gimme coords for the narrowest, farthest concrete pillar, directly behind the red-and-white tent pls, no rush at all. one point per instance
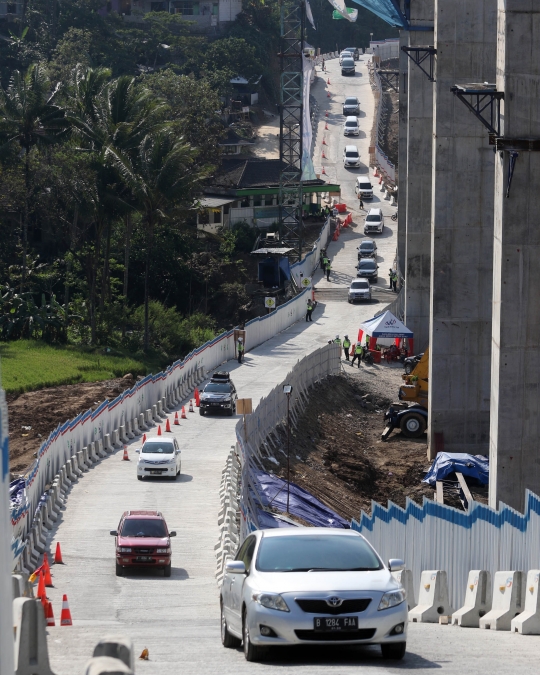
(419, 169)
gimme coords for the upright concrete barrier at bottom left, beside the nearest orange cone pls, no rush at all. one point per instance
(31, 654)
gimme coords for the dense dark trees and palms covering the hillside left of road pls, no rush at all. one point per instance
(109, 130)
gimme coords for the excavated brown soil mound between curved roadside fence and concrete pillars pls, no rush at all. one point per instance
(337, 453)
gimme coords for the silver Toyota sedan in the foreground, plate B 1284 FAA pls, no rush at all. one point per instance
(312, 585)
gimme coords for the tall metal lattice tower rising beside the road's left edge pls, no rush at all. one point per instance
(291, 124)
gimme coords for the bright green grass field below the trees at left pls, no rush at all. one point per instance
(26, 365)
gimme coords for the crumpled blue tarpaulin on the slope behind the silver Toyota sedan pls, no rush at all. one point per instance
(272, 491)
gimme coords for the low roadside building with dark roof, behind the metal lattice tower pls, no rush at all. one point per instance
(247, 189)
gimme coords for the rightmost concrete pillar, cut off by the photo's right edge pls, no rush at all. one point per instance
(515, 365)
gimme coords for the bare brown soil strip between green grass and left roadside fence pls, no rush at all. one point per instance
(45, 409)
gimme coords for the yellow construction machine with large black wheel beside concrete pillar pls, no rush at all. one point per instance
(410, 414)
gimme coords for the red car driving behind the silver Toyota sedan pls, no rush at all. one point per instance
(143, 540)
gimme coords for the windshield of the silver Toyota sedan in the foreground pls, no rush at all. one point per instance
(316, 552)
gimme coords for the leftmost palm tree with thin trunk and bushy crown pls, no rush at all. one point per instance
(30, 117)
